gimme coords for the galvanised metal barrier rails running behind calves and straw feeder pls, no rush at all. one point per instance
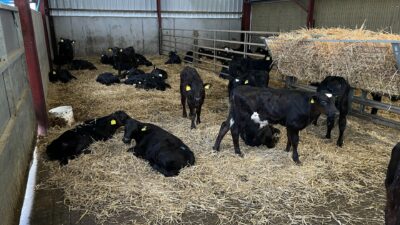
(184, 40)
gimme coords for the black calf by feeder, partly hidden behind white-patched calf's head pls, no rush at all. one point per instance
(339, 88)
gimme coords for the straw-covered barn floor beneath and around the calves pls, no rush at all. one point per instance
(110, 186)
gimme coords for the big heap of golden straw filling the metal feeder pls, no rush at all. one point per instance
(368, 66)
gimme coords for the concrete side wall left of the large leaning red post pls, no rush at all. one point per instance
(17, 119)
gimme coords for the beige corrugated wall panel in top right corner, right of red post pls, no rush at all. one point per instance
(377, 15)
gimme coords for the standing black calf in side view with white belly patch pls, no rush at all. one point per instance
(293, 109)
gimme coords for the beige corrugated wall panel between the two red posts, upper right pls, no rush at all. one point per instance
(277, 16)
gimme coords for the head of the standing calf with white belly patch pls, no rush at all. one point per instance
(324, 102)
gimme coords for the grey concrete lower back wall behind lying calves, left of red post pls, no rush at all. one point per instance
(95, 34)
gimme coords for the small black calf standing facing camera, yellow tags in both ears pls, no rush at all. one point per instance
(192, 90)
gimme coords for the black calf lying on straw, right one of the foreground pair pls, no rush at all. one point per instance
(165, 152)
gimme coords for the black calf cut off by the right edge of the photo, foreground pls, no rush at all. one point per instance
(392, 184)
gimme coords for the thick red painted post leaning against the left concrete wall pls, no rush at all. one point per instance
(34, 76)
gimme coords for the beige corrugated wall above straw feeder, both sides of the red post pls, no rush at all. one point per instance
(286, 15)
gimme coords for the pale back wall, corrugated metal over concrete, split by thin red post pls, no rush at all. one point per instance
(99, 24)
